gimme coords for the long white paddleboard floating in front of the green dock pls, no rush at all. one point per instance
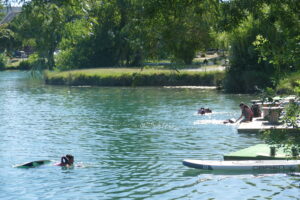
(249, 165)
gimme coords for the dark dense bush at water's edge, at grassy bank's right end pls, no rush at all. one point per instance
(247, 72)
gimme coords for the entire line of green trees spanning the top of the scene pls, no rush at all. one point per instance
(262, 37)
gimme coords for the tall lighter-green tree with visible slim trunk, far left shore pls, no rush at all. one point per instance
(44, 22)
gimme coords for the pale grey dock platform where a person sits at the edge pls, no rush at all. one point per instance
(259, 124)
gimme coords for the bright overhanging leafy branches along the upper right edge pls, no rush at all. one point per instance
(282, 46)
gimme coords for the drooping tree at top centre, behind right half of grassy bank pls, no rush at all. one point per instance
(182, 27)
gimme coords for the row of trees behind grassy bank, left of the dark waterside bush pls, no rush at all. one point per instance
(117, 32)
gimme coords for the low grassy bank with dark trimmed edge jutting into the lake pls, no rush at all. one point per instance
(133, 77)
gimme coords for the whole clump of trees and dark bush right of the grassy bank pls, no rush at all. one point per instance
(268, 49)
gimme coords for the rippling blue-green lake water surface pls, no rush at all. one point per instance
(129, 143)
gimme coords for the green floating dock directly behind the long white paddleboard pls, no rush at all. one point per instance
(258, 152)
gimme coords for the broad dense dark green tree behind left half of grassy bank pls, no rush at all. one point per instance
(112, 39)
